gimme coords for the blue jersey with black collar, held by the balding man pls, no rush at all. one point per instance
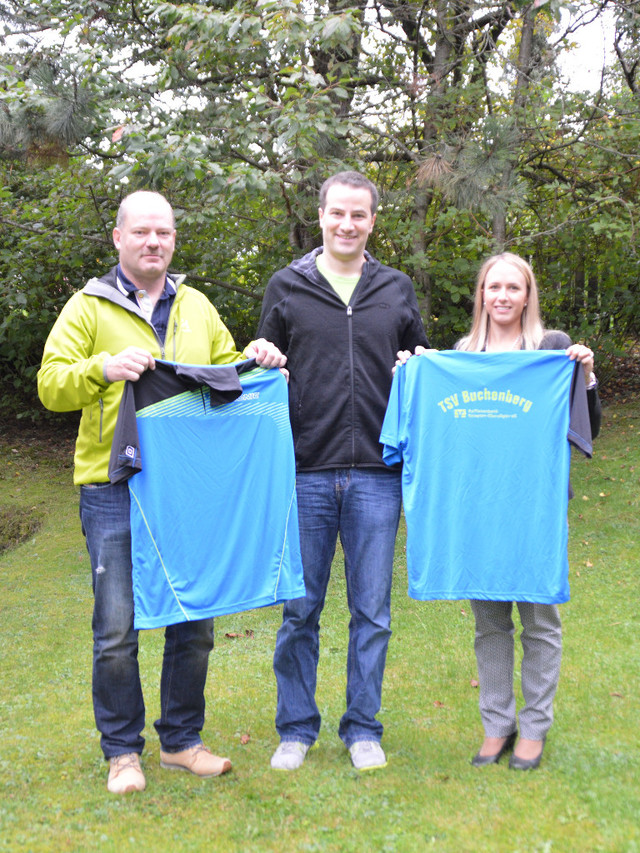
(214, 523)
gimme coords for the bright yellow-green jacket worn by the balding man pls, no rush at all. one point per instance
(99, 321)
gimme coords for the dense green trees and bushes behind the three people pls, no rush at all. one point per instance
(238, 110)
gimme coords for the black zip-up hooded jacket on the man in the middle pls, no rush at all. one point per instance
(340, 357)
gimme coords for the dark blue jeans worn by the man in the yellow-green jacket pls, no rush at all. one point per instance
(117, 694)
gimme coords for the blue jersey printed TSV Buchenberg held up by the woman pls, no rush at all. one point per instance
(483, 438)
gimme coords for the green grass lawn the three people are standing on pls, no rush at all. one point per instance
(584, 797)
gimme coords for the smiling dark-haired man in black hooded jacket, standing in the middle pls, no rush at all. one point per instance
(340, 317)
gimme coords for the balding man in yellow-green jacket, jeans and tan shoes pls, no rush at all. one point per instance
(111, 331)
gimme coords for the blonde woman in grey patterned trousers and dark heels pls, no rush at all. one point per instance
(506, 317)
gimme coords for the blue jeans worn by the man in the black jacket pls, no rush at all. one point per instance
(363, 507)
